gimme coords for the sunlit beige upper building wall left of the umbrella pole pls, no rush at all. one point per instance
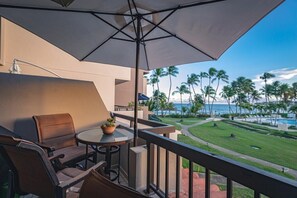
(21, 44)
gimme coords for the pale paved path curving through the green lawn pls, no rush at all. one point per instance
(185, 131)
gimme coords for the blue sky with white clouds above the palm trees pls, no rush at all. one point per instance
(270, 46)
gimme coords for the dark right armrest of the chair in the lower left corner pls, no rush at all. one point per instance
(71, 182)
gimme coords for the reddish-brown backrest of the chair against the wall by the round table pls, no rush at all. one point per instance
(55, 130)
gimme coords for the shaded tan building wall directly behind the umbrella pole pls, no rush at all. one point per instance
(124, 92)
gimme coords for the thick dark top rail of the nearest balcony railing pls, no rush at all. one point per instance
(246, 175)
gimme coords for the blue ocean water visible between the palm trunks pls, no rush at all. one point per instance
(217, 108)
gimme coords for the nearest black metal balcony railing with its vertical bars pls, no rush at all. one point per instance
(261, 182)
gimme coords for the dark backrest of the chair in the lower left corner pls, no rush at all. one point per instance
(34, 173)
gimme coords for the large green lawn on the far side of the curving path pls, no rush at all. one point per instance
(274, 149)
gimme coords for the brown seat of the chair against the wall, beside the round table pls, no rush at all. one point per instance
(73, 153)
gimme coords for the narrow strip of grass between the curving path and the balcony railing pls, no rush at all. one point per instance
(185, 163)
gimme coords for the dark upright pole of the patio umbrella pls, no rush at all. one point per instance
(136, 80)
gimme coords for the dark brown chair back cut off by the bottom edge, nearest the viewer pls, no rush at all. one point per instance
(96, 185)
